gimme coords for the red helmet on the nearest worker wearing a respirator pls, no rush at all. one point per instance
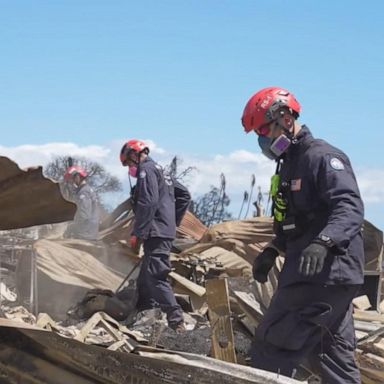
(260, 108)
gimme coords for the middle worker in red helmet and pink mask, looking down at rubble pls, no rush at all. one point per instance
(156, 218)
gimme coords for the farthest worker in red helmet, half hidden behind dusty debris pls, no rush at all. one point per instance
(85, 223)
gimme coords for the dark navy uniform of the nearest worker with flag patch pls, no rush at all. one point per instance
(311, 317)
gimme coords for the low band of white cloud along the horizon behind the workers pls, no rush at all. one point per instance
(238, 166)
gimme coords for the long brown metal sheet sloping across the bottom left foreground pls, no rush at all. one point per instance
(32, 356)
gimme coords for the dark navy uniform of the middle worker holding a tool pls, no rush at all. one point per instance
(155, 223)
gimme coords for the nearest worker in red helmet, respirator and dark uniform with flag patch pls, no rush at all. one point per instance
(318, 214)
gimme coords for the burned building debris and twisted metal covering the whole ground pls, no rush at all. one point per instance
(44, 337)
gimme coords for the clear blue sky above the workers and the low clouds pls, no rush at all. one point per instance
(94, 73)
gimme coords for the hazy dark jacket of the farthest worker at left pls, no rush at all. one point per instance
(86, 220)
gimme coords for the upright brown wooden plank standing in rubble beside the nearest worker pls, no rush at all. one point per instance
(220, 320)
